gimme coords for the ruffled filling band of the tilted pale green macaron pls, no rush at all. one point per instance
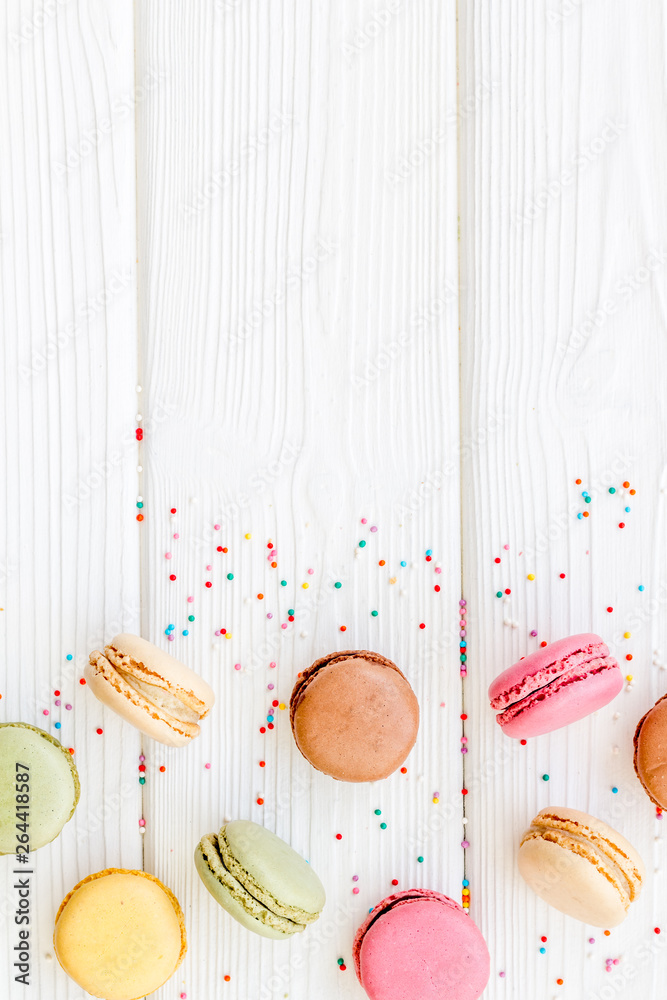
(254, 900)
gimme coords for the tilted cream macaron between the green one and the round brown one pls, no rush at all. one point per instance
(152, 690)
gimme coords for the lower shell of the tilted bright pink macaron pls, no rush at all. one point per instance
(555, 707)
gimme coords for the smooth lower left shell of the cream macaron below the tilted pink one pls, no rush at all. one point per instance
(570, 883)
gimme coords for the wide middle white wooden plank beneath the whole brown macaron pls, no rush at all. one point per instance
(300, 360)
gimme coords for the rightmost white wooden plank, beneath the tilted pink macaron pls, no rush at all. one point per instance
(563, 335)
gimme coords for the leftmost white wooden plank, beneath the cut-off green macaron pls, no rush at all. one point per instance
(68, 543)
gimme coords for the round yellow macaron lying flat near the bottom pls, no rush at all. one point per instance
(120, 934)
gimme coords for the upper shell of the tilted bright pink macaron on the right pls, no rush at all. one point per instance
(543, 665)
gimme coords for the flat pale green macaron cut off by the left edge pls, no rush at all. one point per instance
(39, 787)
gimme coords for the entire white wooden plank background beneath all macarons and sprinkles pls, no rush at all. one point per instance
(261, 213)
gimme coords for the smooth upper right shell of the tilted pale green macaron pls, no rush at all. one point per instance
(274, 870)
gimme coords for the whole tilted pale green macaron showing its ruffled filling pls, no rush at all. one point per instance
(259, 879)
